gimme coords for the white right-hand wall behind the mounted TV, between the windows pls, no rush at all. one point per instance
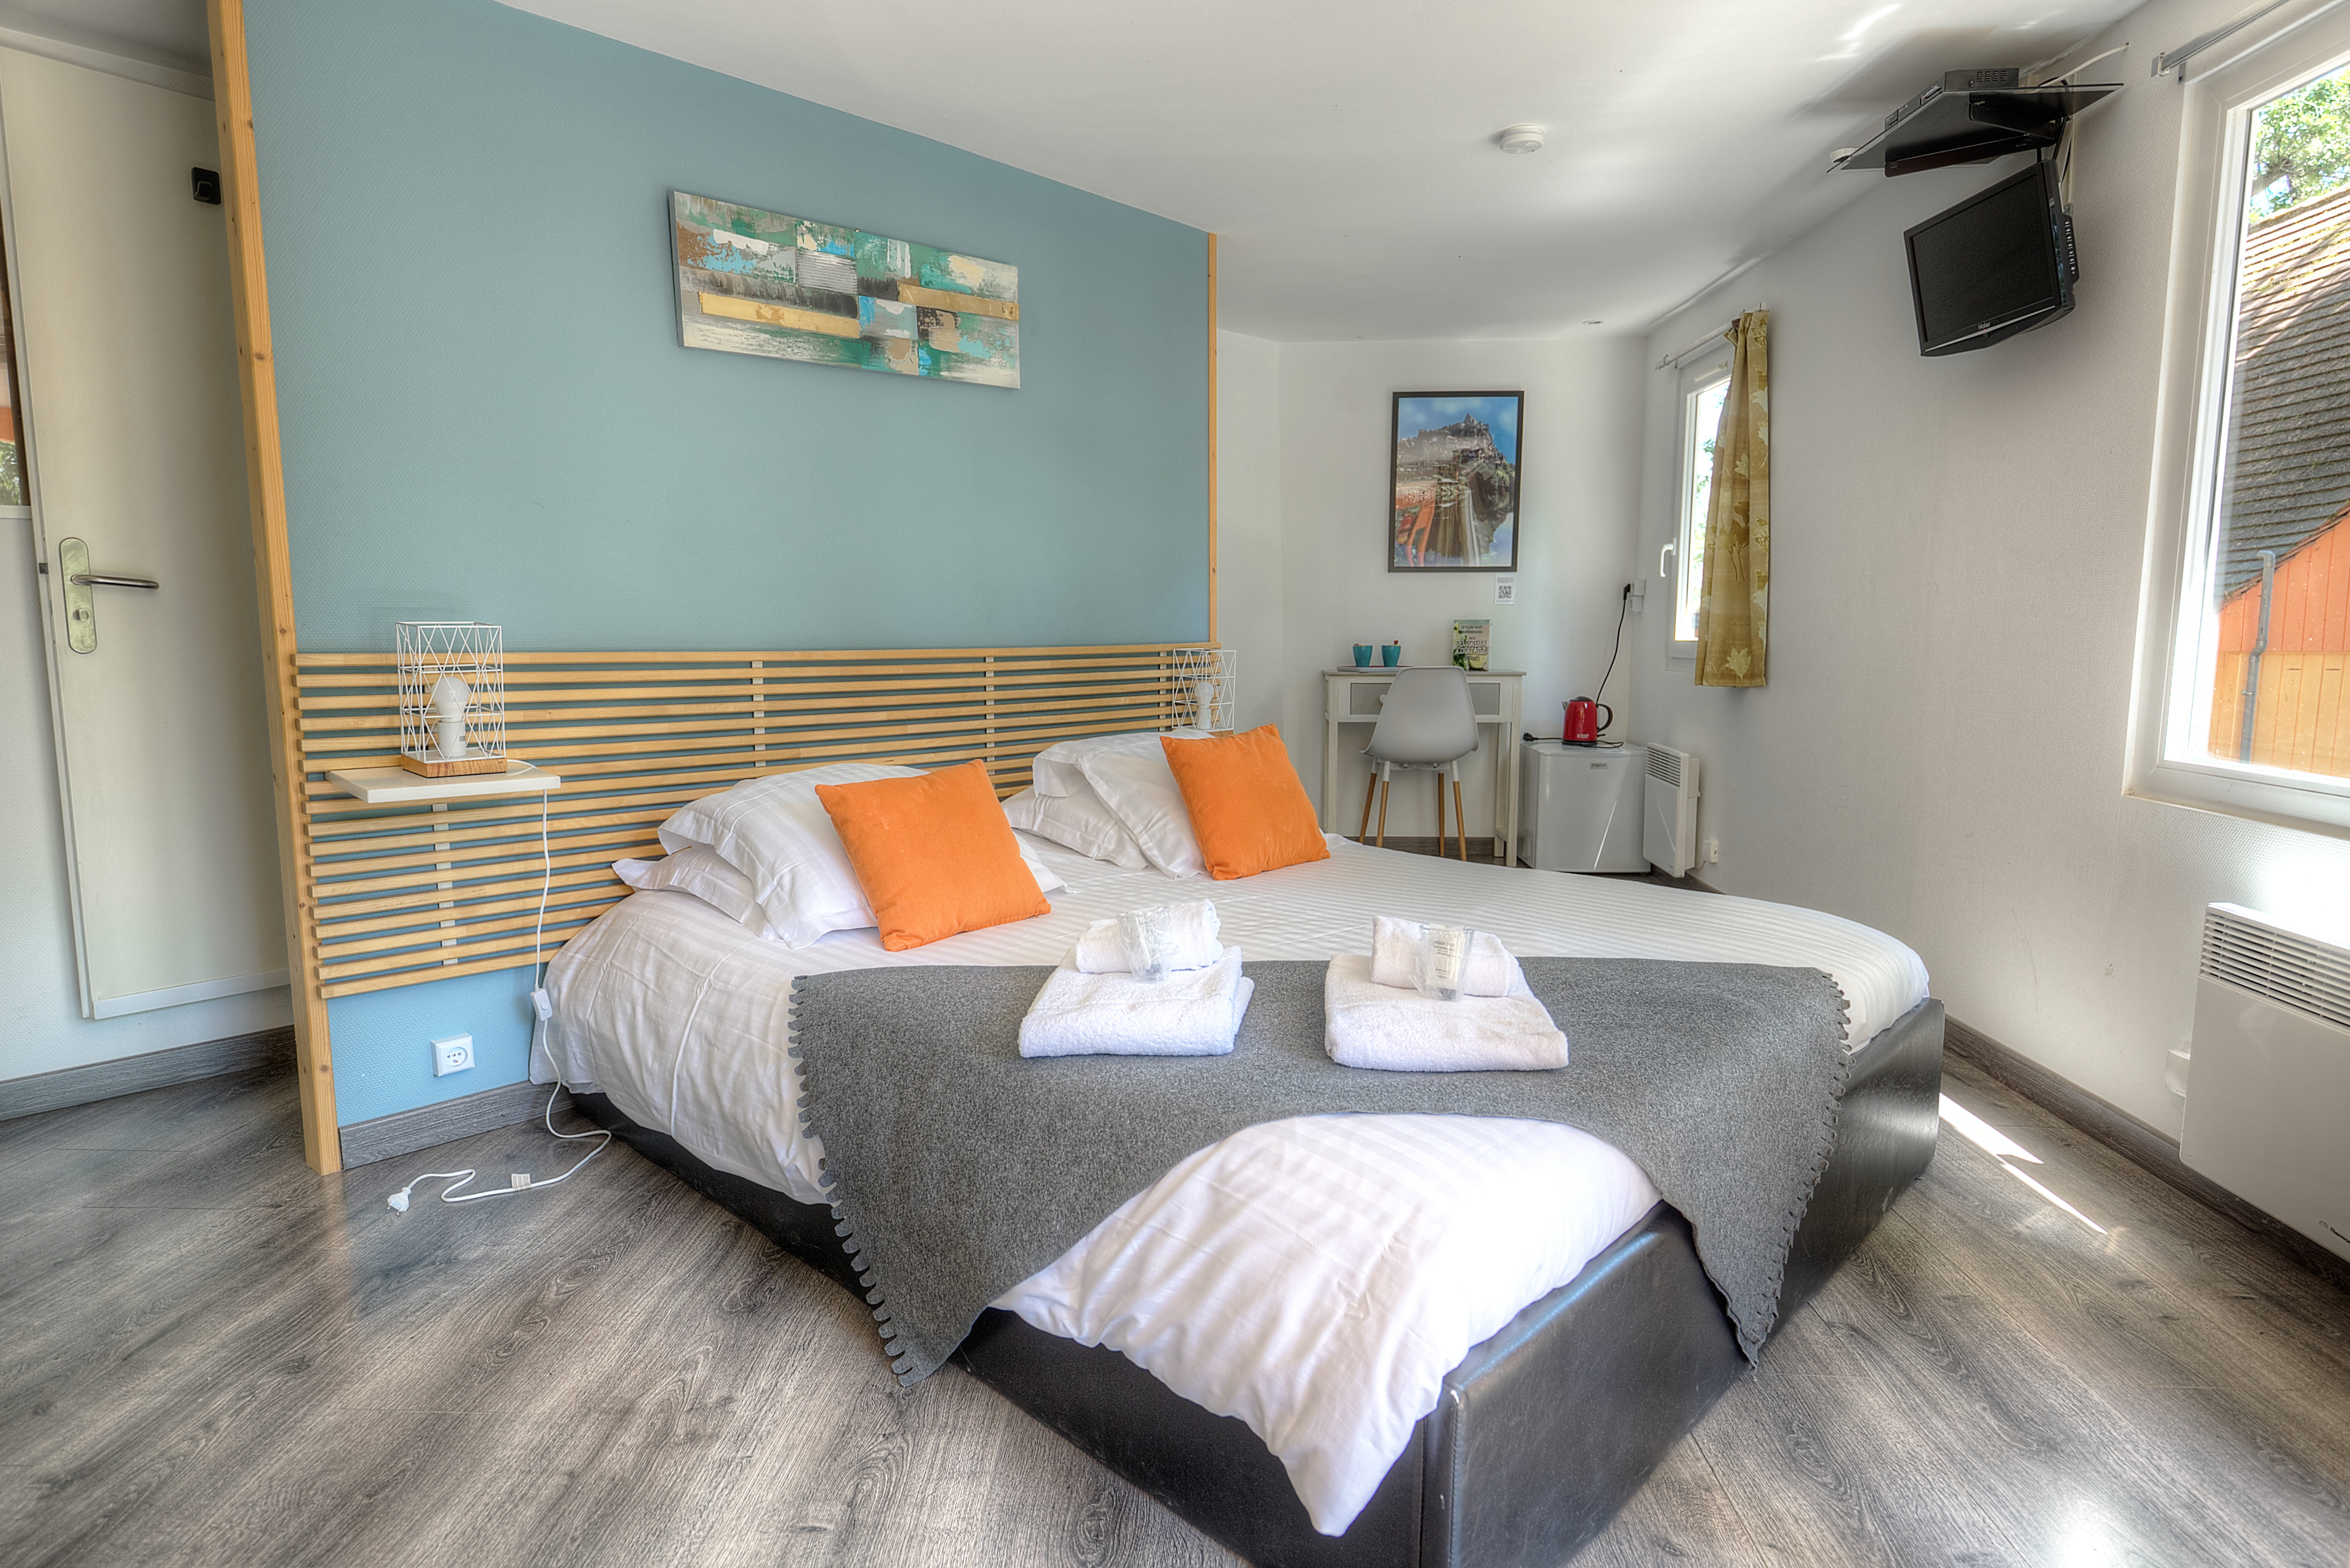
(1956, 565)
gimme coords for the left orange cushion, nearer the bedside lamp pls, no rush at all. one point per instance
(934, 855)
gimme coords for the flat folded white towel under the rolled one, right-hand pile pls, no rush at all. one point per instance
(1399, 1031)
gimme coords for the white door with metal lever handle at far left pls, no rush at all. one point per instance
(137, 453)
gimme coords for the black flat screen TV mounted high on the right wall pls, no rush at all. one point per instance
(1994, 267)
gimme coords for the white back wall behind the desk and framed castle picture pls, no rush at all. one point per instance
(1580, 455)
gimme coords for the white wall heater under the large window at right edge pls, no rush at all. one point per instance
(2269, 1092)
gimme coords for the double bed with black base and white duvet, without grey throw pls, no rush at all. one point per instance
(1512, 1447)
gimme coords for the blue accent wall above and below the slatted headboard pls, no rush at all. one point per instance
(488, 413)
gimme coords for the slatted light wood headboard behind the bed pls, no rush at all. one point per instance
(408, 894)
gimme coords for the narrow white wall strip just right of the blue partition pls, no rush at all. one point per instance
(1249, 518)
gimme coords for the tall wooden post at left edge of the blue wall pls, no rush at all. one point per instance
(264, 478)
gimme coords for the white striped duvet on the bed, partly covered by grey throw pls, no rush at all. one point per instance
(1315, 1278)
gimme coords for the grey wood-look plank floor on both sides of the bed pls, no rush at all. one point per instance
(210, 1355)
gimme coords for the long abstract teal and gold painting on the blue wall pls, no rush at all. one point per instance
(760, 283)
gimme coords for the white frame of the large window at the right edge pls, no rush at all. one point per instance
(2173, 699)
